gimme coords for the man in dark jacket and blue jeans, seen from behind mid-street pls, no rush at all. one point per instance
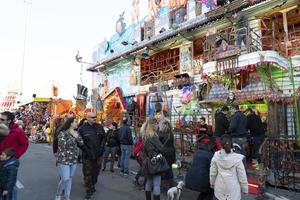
(126, 142)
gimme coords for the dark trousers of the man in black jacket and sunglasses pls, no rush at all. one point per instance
(91, 171)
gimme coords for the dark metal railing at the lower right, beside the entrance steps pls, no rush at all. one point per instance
(281, 161)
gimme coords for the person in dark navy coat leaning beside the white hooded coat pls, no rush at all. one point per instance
(197, 177)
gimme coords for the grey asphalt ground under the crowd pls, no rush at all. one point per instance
(39, 177)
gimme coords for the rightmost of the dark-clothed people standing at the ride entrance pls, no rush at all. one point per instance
(255, 126)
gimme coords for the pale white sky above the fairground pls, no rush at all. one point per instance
(56, 29)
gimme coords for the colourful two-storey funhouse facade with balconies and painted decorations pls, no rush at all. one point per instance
(187, 59)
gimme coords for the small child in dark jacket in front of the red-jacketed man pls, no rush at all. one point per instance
(8, 173)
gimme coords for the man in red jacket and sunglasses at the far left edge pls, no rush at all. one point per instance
(16, 139)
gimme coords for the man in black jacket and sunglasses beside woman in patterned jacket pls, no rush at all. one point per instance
(94, 139)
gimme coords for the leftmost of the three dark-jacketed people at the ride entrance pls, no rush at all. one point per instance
(222, 122)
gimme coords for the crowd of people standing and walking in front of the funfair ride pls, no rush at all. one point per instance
(216, 171)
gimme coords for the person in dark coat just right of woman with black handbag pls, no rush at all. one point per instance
(166, 137)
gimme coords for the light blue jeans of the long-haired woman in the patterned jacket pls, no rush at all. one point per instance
(66, 172)
